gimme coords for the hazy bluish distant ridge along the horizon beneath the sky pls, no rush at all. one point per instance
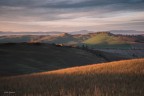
(82, 32)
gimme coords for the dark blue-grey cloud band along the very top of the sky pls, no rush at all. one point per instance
(70, 3)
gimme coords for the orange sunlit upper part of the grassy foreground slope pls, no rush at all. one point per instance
(135, 66)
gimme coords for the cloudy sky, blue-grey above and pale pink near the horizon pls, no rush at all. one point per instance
(71, 15)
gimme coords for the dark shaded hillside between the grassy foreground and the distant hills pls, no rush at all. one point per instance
(21, 58)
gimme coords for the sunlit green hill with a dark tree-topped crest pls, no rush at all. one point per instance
(108, 38)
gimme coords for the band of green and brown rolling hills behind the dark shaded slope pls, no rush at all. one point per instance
(98, 39)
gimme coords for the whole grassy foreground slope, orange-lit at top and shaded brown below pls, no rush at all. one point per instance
(121, 78)
